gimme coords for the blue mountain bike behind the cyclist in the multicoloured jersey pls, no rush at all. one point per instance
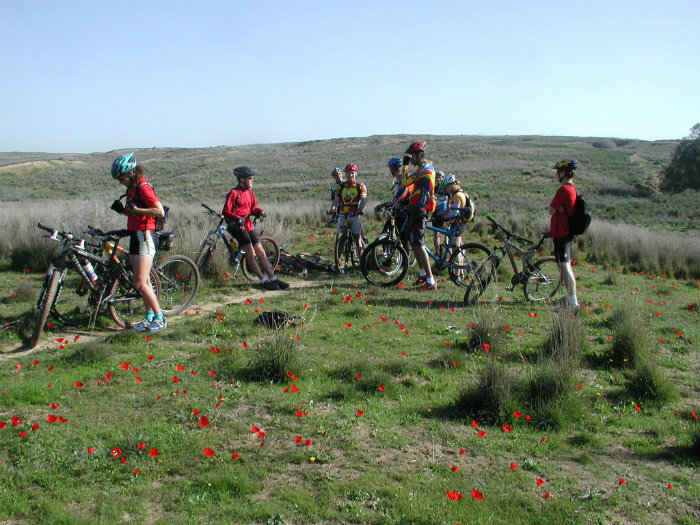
(385, 261)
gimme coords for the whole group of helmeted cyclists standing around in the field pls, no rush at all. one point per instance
(418, 190)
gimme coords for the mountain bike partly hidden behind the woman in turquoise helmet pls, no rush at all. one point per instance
(177, 274)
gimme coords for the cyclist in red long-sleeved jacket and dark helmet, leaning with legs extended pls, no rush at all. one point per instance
(239, 206)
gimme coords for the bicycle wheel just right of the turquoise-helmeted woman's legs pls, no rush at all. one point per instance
(179, 282)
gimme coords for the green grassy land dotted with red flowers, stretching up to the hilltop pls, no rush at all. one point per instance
(384, 405)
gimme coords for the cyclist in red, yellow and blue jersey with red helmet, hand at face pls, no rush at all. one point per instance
(421, 201)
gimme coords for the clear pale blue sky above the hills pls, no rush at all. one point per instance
(93, 75)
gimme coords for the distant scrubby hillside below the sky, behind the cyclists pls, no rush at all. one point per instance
(620, 177)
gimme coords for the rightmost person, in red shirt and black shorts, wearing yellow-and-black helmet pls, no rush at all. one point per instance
(560, 209)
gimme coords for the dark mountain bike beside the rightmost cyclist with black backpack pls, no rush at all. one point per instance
(539, 277)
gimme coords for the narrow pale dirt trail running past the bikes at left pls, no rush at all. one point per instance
(69, 335)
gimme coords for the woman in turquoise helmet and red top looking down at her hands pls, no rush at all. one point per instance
(142, 207)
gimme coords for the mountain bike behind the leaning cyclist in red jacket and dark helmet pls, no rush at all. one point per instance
(236, 255)
